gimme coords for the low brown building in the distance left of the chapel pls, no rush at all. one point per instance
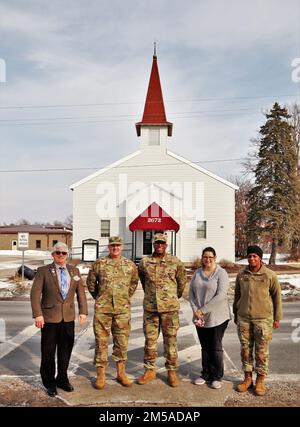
(41, 238)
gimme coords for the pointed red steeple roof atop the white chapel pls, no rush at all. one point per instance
(154, 111)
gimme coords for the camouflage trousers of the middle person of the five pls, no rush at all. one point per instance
(168, 323)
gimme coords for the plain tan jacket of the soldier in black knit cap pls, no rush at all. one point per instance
(257, 295)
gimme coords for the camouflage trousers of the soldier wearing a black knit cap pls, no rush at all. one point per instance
(255, 334)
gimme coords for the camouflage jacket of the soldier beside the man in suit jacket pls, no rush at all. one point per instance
(112, 284)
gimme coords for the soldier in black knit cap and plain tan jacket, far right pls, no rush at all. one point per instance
(257, 310)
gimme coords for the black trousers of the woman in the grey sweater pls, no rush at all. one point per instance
(212, 351)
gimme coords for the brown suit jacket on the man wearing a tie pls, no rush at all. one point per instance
(46, 299)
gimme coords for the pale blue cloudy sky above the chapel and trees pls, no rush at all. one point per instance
(221, 65)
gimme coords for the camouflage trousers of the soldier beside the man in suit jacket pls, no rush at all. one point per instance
(119, 325)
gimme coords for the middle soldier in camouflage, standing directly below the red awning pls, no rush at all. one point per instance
(163, 279)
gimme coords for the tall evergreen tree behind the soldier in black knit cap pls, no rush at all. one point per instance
(272, 200)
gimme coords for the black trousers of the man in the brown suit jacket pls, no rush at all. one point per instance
(58, 336)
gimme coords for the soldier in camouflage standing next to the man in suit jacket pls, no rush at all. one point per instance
(112, 281)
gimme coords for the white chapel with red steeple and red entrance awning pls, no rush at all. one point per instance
(154, 189)
